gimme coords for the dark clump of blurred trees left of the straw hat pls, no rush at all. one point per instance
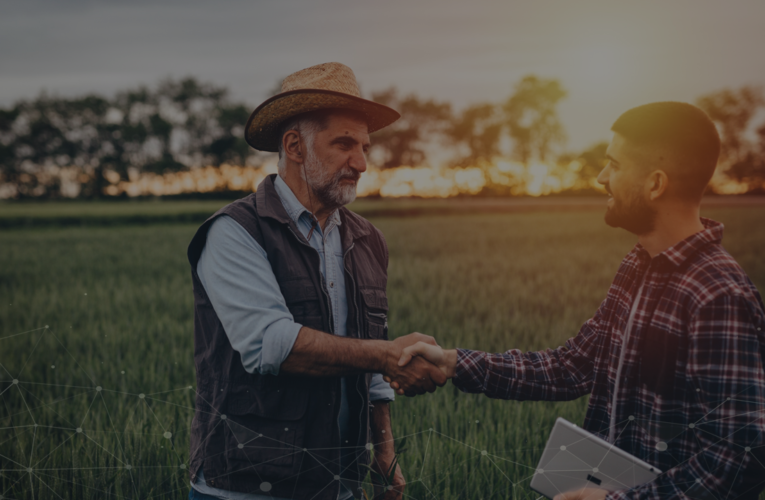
(50, 141)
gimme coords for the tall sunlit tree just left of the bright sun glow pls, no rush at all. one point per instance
(532, 118)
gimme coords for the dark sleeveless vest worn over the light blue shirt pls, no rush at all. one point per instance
(279, 434)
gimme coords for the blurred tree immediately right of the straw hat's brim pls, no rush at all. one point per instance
(404, 142)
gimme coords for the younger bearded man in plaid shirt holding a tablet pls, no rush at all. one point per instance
(673, 358)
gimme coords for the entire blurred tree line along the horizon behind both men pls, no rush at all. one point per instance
(53, 147)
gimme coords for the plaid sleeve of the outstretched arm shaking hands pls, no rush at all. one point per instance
(558, 374)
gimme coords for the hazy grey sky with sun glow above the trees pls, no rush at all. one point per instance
(610, 56)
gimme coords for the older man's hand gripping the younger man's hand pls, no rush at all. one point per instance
(417, 377)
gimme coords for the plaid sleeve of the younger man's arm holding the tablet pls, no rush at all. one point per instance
(725, 367)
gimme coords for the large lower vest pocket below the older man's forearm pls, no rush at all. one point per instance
(264, 430)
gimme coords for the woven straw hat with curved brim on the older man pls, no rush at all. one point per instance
(325, 86)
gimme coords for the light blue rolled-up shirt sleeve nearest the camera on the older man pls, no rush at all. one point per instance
(238, 279)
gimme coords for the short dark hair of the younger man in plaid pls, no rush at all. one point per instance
(685, 131)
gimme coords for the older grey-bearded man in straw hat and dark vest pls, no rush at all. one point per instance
(291, 312)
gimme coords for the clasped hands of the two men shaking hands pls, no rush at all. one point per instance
(416, 364)
